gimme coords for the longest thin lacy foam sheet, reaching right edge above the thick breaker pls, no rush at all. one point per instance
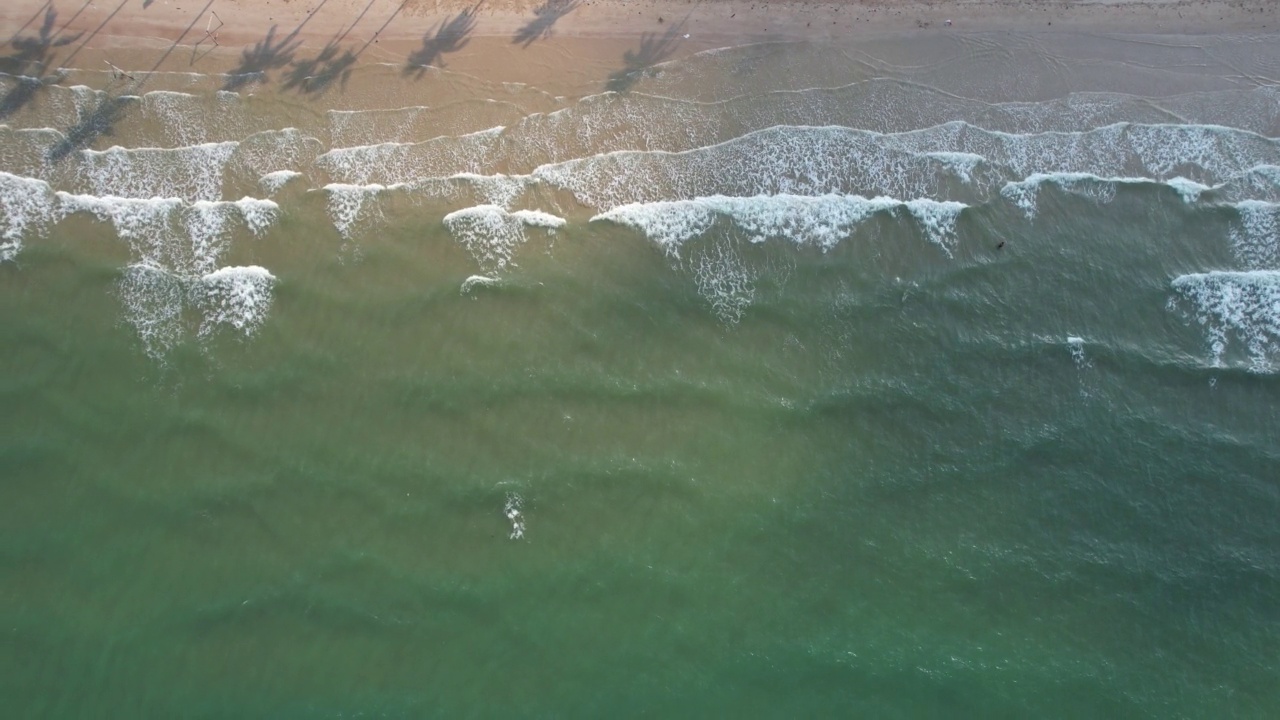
(954, 161)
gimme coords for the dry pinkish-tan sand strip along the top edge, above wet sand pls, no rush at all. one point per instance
(481, 38)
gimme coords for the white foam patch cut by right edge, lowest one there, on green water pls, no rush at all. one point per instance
(1236, 307)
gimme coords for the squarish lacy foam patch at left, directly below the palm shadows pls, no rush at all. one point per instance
(191, 174)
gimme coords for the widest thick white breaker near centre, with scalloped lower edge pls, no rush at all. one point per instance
(822, 221)
